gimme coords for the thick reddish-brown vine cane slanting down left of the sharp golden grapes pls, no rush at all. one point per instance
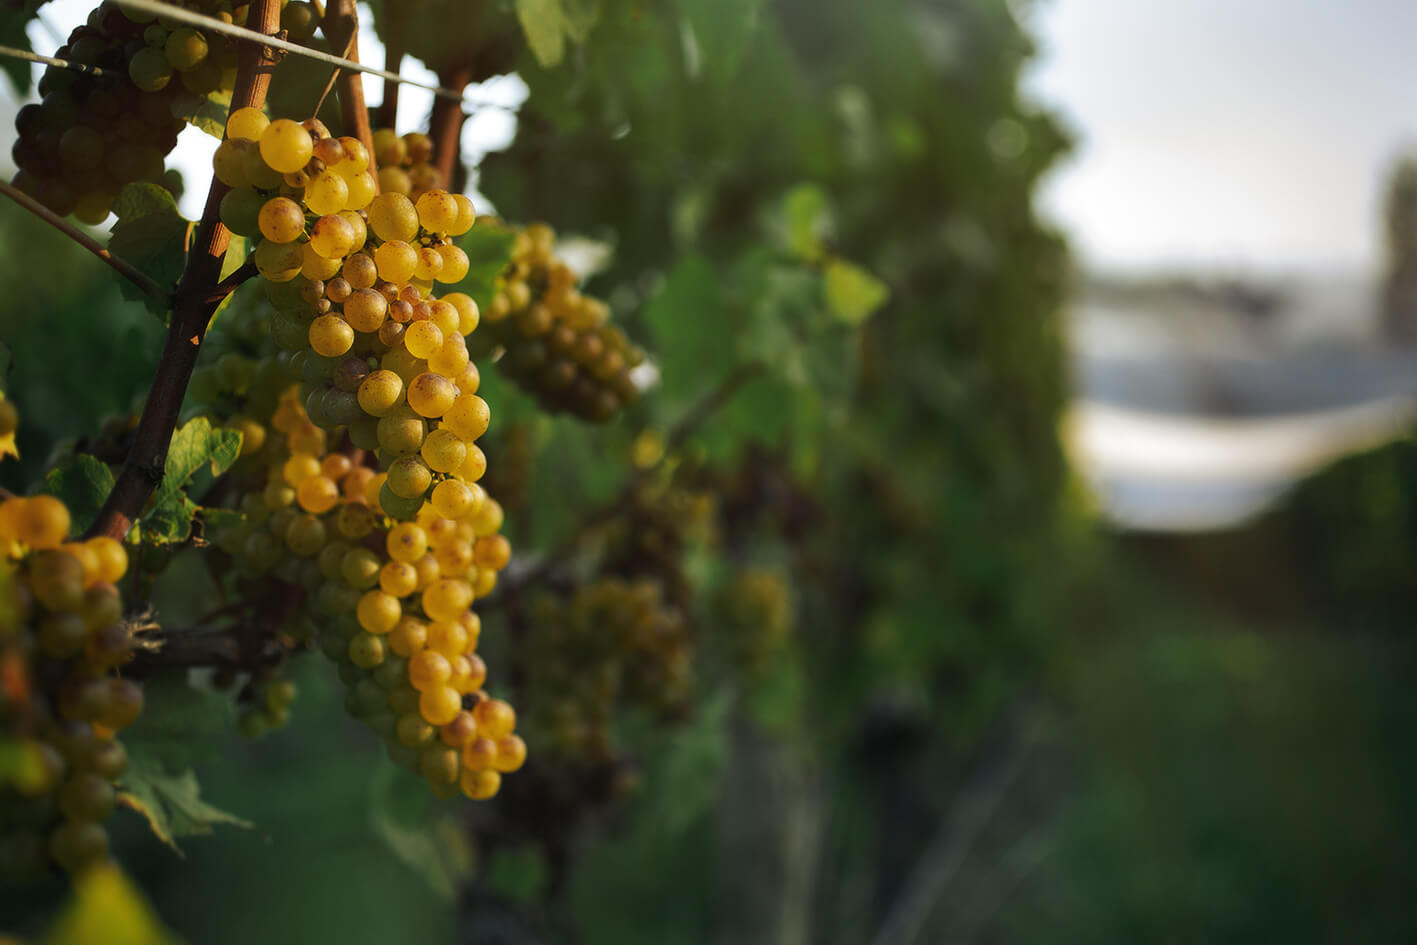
(199, 294)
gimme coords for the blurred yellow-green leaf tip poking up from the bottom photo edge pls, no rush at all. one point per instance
(107, 907)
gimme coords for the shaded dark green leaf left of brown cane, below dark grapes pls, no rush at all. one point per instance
(151, 236)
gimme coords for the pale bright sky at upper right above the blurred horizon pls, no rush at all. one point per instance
(1249, 134)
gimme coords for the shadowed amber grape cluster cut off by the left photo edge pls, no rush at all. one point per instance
(63, 643)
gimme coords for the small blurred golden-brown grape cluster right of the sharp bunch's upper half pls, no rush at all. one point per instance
(559, 344)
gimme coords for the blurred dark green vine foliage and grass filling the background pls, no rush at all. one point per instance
(838, 195)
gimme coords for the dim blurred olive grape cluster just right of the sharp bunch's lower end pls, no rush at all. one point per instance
(619, 647)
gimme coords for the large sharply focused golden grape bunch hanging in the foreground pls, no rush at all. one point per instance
(368, 361)
